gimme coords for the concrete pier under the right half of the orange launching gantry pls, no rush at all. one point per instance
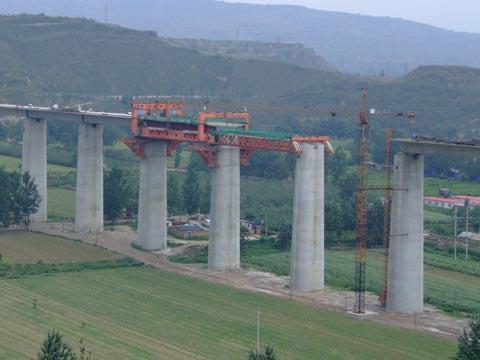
(224, 237)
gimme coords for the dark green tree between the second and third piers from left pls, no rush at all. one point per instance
(116, 193)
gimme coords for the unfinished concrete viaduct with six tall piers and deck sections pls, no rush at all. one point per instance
(405, 264)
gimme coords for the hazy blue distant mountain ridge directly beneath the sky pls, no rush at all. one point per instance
(352, 43)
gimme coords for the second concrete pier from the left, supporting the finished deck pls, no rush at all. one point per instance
(89, 196)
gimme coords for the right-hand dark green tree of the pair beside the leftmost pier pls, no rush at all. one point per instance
(25, 197)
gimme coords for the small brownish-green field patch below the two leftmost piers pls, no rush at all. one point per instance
(29, 248)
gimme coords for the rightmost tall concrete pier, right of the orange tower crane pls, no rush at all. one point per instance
(405, 257)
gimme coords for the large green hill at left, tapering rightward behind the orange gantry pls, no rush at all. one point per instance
(52, 58)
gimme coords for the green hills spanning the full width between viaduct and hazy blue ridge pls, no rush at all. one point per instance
(45, 60)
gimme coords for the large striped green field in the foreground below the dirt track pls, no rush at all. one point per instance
(150, 314)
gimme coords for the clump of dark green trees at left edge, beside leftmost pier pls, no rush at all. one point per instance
(19, 198)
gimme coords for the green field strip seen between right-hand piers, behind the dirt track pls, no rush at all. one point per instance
(449, 284)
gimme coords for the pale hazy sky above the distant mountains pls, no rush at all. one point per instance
(458, 15)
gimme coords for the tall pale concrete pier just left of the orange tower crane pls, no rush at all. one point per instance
(307, 256)
